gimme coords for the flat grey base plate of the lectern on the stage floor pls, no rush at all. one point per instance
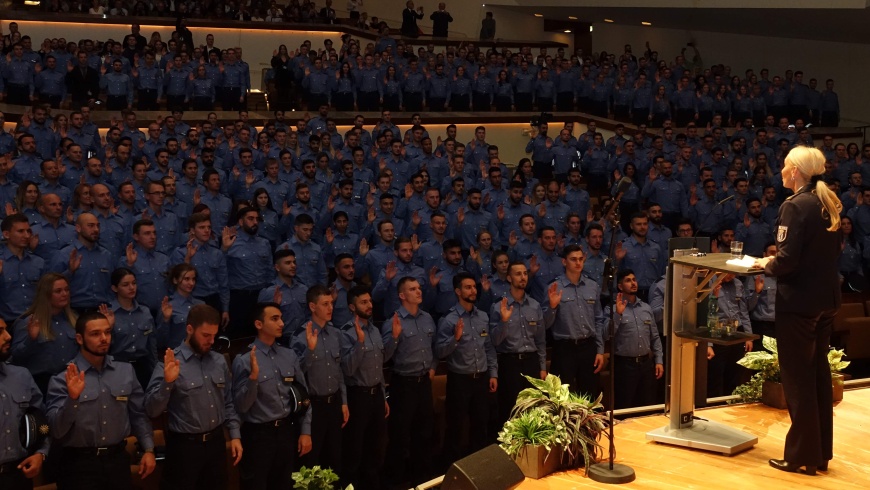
(705, 435)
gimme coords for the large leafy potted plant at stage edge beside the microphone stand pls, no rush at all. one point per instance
(550, 418)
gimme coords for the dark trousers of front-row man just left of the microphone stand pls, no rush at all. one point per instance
(574, 362)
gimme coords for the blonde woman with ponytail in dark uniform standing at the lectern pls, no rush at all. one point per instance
(808, 241)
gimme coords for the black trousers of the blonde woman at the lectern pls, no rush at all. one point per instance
(802, 342)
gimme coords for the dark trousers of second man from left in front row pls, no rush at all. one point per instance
(94, 468)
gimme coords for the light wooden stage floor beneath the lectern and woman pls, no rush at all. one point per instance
(660, 466)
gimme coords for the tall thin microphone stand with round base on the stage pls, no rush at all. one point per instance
(611, 472)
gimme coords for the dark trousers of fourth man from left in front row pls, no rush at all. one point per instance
(269, 455)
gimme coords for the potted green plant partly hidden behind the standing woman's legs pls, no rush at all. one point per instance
(766, 385)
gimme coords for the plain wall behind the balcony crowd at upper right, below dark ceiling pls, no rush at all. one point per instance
(843, 62)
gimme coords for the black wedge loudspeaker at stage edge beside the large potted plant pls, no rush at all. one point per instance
(488, 469)
